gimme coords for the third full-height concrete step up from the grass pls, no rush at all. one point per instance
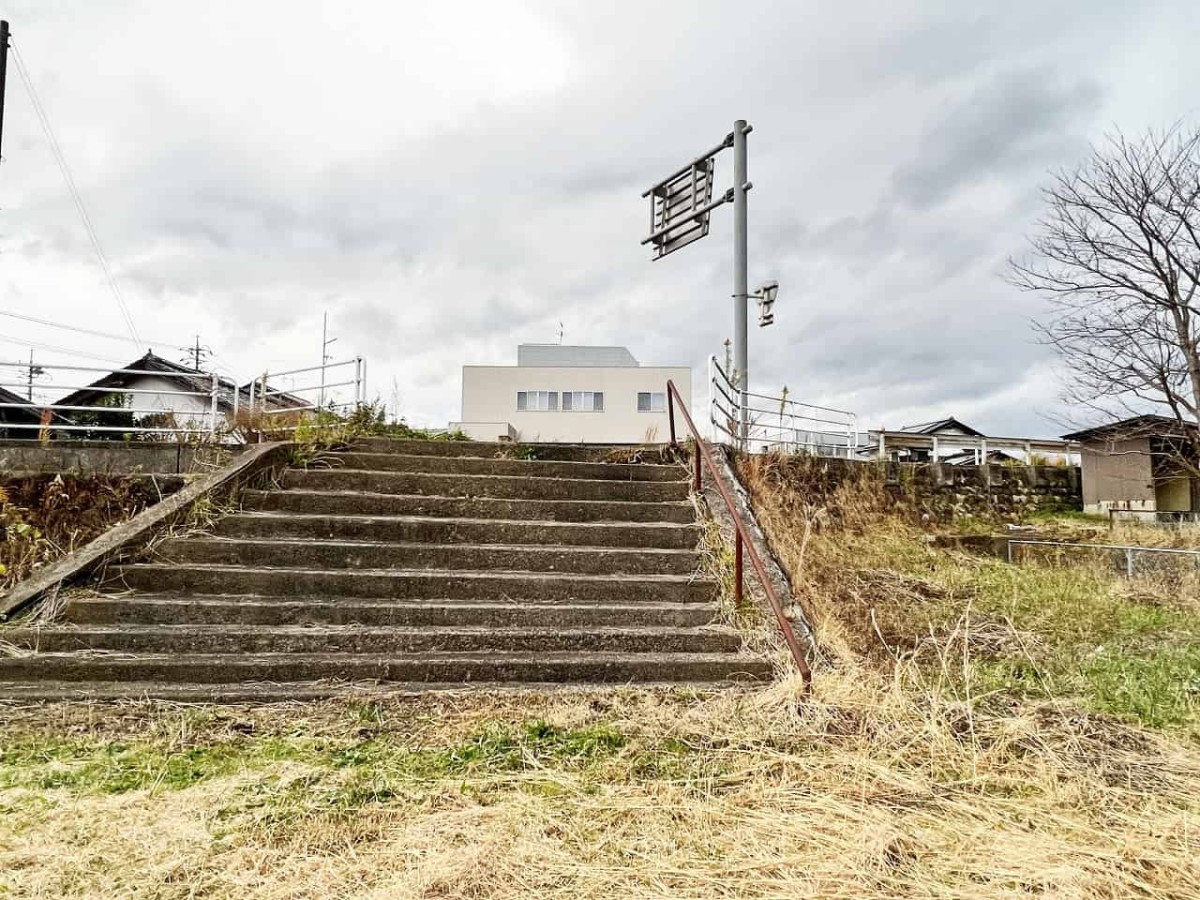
(248, 610)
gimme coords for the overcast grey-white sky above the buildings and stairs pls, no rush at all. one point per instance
(451, 179)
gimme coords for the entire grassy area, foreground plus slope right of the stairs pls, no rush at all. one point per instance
(977, 731)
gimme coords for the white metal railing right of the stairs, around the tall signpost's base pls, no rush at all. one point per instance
(777, 423)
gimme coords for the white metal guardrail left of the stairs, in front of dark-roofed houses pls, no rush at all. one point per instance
(163, 404)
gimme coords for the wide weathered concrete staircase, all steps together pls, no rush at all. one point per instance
(406, 566)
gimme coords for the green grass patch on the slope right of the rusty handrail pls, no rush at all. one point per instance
(1069, 632)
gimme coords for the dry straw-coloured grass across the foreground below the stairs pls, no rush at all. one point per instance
(862, 794)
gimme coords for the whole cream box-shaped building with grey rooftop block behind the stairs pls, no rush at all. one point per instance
(587, 395)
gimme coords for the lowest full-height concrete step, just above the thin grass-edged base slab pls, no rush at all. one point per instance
(439, 668)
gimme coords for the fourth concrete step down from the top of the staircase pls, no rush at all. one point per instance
(391, 505)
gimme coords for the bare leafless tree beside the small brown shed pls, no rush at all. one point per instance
(1118, 254)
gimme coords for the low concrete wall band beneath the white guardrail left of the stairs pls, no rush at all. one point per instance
(99, 458)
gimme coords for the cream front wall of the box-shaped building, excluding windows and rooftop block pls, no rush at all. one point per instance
(490, 397)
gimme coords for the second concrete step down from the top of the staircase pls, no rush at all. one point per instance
(523, 469)
